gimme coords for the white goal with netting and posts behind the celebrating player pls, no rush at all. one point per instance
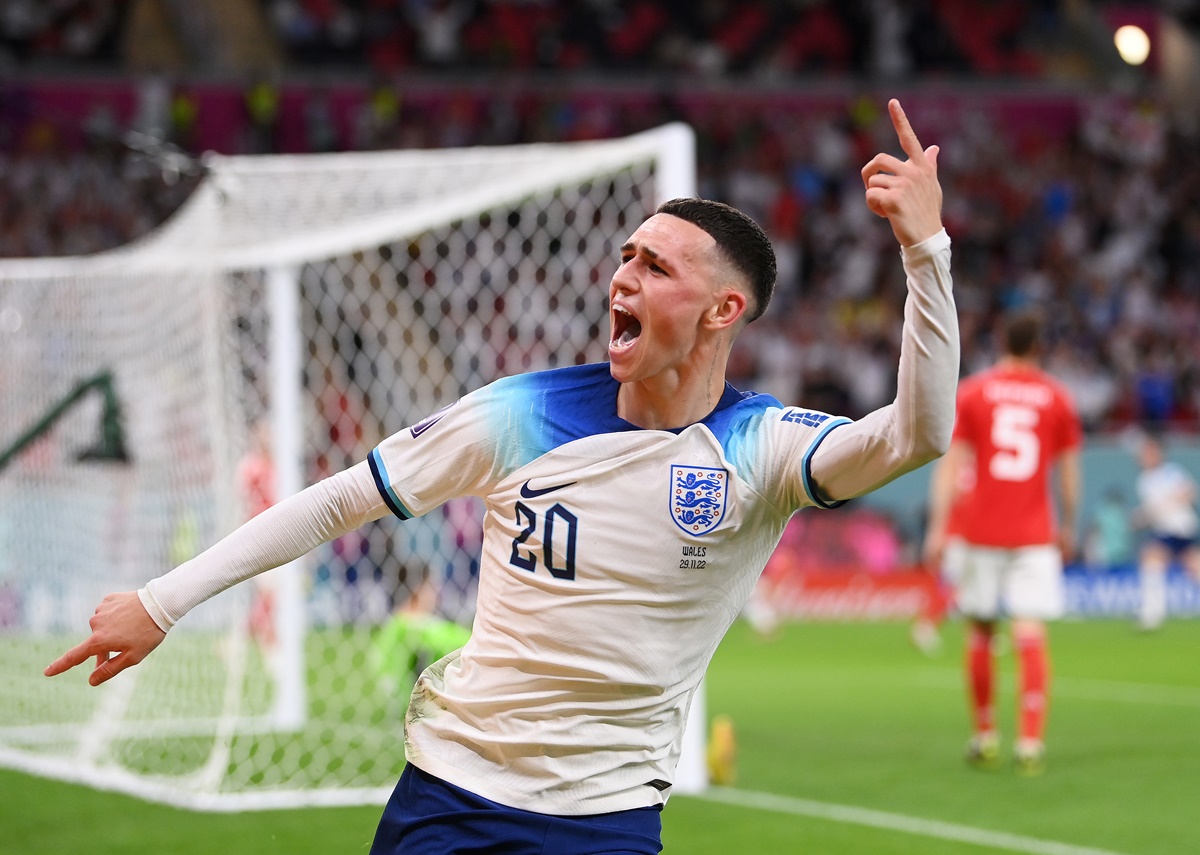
(291, 315)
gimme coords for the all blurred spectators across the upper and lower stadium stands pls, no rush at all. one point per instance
(1097, 223)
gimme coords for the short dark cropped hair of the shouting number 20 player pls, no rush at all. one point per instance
(740, 241)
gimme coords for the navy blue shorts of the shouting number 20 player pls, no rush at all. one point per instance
(427, 816)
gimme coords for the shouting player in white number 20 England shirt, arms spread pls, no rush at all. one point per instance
(631, 509)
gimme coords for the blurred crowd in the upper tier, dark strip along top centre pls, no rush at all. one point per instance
(704, 37)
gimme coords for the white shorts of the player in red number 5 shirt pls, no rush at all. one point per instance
(995, 583)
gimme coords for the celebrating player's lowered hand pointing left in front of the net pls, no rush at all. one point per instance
(122, 627)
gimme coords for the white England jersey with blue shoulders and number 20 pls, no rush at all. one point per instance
(615, 560)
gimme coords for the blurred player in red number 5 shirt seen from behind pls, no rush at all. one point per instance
(1018, 424)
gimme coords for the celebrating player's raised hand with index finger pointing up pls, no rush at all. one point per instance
(908, 194)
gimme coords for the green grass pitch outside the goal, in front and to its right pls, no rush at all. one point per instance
(845, 715)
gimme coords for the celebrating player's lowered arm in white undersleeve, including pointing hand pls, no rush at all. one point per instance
(133, 624)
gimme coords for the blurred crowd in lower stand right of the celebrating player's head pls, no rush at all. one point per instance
(1101, 230)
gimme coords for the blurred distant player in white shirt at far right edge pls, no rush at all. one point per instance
(1167, 497)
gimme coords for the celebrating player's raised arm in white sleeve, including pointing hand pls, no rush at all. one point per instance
(916, 427)
